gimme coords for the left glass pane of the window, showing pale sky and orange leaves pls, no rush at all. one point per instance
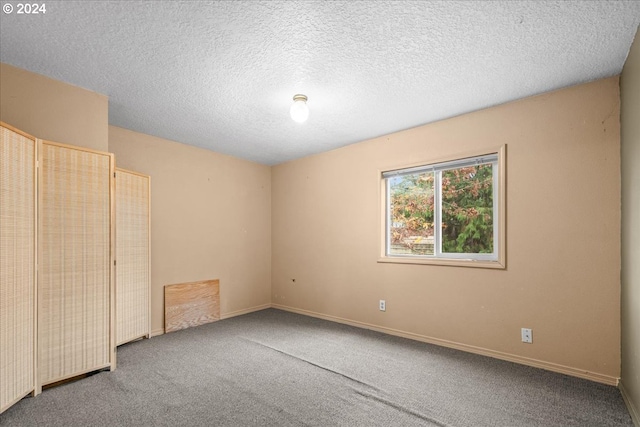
(411, 210)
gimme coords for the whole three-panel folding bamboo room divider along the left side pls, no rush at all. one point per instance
(57, 247)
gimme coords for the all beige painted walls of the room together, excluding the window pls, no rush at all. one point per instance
(213, 216)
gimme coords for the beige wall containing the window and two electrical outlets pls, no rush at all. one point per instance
(563, 236)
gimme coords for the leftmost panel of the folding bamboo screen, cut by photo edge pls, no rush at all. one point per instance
(17, 266)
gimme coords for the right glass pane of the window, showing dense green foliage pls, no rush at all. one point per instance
(467, 210)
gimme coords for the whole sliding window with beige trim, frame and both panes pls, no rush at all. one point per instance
(450, 212)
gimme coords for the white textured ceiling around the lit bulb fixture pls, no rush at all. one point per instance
(221, 75)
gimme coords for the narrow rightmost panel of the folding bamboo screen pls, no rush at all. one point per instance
(133, 278)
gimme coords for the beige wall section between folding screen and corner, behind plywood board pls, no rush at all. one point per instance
(210, 219)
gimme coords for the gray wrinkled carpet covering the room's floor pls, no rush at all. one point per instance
(274, 368)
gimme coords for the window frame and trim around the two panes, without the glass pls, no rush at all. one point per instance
(497, 259)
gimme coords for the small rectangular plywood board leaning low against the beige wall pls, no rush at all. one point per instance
(191, 304)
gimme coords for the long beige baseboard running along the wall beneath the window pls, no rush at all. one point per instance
(567, 370)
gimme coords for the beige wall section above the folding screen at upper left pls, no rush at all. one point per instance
(52, 110)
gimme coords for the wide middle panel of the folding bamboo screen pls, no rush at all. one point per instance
(74, 282)
